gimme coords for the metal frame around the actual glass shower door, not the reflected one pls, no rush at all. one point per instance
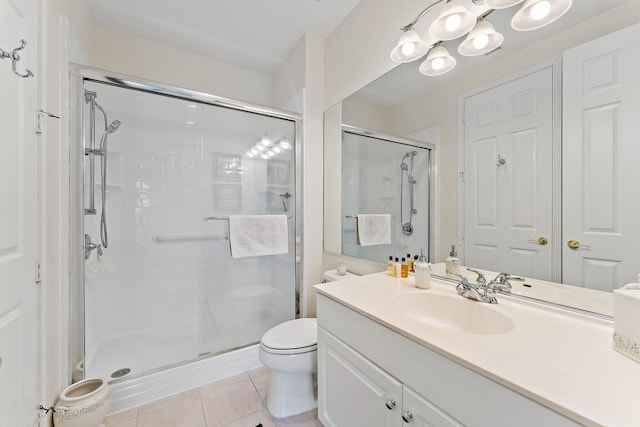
(78, 74)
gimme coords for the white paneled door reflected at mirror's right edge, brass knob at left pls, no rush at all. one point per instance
(601, 154)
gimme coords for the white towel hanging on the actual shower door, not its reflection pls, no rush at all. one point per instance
(258, 235)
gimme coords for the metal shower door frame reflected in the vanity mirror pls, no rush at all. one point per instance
(432, 176)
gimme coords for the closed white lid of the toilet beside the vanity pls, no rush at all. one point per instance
(293, 334)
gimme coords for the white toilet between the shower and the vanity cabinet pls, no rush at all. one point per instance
(290, 351)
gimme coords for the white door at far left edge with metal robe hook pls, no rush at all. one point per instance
(18, 399)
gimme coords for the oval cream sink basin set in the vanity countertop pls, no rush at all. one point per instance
(453, 313)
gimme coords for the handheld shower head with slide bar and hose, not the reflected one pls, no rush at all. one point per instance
(101, 150)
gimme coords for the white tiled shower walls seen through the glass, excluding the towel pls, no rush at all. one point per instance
(166, 280)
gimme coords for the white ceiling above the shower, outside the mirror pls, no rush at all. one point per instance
(255, 34)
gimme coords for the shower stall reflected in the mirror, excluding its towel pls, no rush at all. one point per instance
(387, 175)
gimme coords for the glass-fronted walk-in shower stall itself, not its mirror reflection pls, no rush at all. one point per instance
(157, 171)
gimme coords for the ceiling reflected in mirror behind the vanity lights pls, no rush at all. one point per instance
(405, 81)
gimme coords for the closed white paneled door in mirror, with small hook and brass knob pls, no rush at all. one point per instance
(508, 184)
